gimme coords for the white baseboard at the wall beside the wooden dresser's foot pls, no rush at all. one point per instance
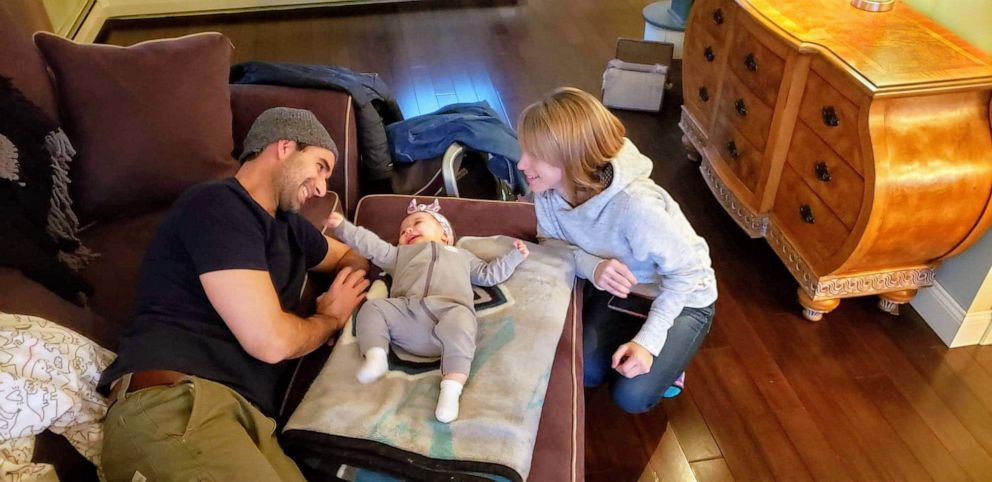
(950, 321)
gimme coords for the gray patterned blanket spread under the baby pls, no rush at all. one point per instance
(388, 427)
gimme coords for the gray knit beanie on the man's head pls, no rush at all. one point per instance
(277, 123)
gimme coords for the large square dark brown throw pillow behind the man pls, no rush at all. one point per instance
(147, 120)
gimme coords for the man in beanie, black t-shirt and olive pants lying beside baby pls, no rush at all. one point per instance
(193, 389)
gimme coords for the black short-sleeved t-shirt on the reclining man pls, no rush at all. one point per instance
(213, 226)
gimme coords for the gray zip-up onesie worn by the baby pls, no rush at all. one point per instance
(430, 311)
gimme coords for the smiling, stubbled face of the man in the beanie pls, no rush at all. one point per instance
(303, 175)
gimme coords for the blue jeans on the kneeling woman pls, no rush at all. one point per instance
(604, 330)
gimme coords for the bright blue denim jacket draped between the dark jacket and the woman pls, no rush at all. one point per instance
(475, 124)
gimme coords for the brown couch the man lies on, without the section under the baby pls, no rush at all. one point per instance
(121, 242)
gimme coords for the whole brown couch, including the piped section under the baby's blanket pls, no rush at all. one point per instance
(122, 242)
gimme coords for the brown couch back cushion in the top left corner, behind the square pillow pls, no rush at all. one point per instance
(20, 60)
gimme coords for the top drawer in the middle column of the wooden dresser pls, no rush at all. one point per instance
(758, 67)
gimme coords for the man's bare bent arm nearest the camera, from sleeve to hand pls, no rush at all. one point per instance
(247, 302)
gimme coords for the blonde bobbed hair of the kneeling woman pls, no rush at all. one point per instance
(571, 129)
